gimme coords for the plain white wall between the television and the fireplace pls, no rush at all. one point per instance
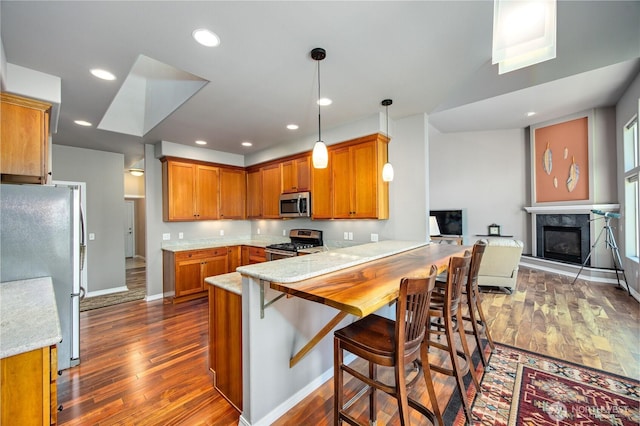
(484, 173)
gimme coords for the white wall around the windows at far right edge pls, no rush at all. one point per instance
(628, 106)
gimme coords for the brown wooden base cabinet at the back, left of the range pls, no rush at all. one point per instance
(184, 271)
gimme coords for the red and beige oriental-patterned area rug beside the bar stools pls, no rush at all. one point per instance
(523, 388)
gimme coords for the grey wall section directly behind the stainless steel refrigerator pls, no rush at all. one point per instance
(102, 171)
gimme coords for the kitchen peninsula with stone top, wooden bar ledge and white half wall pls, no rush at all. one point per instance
(277, 331)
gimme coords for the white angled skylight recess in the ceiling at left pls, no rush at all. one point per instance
(149, 94)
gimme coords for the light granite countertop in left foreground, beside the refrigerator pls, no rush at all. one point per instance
(29, 317)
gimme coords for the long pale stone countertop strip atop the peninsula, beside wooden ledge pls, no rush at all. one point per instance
(300, 268)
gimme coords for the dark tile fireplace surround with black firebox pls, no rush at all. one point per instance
(563, 237)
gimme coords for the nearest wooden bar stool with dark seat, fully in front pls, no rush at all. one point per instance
(388, 343)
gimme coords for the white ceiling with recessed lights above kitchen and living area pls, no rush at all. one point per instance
(430, 57)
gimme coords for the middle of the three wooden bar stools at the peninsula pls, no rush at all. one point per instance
(445, 319)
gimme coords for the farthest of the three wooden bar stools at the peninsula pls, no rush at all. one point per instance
(475, 314)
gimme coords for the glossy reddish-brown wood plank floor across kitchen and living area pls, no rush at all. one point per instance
(146, 363)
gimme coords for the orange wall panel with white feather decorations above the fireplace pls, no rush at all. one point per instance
(561, 161)
